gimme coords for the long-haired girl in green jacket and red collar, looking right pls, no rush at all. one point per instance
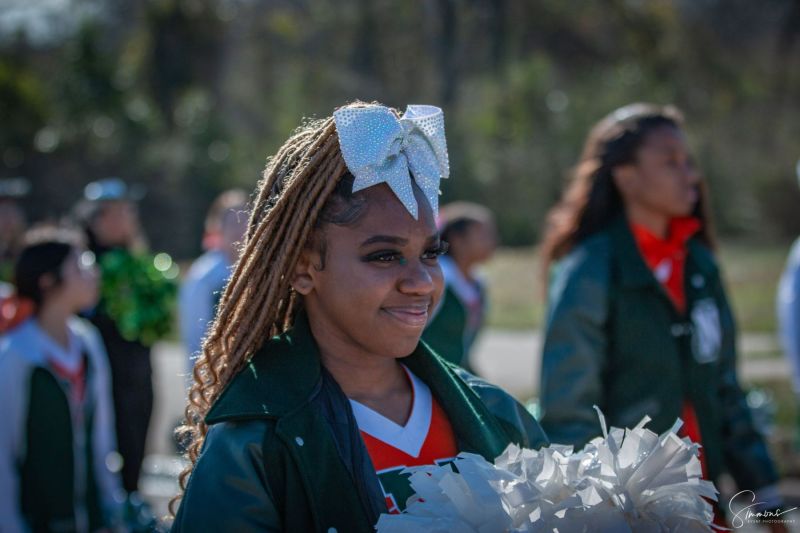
(638, 320)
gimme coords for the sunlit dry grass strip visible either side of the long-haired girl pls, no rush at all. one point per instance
(751, 272)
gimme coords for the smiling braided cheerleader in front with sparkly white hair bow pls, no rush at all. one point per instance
(313, 391)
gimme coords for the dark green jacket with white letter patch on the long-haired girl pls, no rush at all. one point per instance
(614, 339)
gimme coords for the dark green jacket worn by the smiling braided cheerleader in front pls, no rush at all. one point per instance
(283, 452)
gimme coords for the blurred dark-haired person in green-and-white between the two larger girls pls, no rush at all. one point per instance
(470, 231)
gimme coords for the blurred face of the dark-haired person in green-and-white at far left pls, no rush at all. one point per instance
(78, 289)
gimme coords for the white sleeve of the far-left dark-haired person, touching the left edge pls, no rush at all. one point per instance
(13, 404)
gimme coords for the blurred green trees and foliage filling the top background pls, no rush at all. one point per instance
(190, 96)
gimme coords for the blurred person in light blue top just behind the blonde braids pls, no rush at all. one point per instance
(200, 292)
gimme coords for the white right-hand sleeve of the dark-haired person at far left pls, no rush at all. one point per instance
(104, 439)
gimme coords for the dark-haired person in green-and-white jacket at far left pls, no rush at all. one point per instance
(57, 445)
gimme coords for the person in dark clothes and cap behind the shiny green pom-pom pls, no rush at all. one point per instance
(109, 217)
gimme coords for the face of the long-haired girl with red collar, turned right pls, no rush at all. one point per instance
(663, 180)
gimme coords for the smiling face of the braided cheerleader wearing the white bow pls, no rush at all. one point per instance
(380, 280)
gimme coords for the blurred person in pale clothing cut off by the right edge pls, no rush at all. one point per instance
(789, 317)
